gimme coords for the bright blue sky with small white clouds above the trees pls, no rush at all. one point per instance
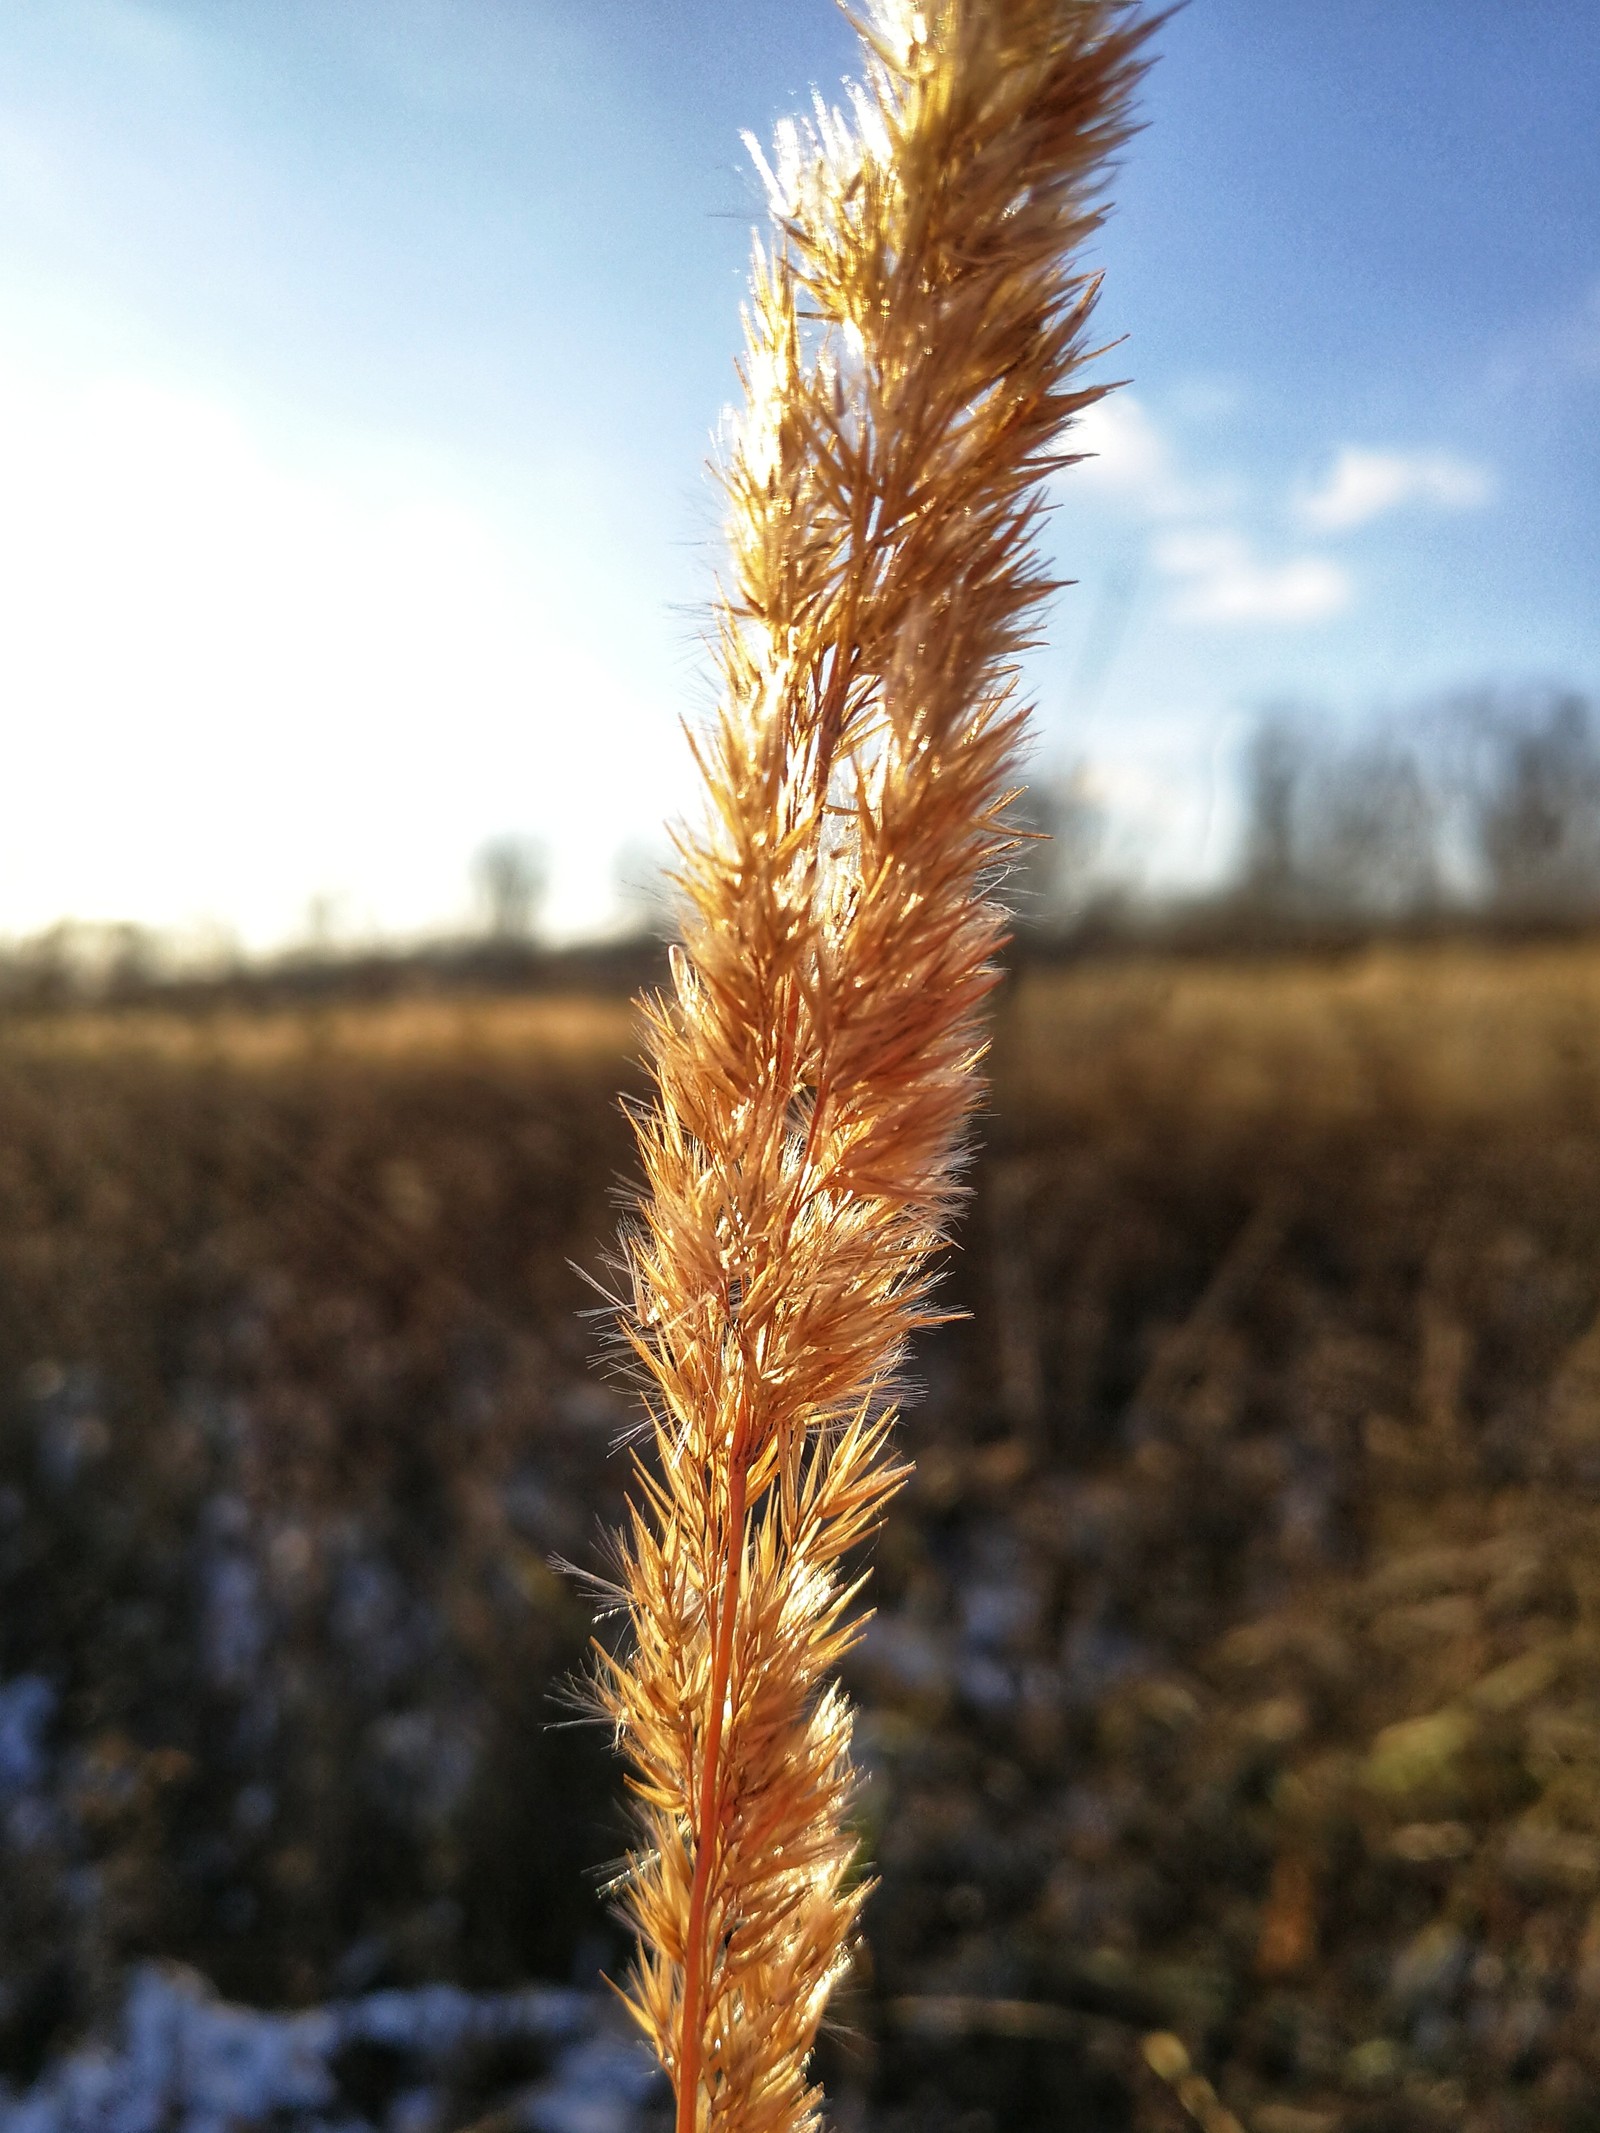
(359, 366)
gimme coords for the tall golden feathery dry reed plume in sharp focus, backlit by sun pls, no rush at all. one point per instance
(914, 347)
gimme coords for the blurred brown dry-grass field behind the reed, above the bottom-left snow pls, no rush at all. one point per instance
(1238, 1661)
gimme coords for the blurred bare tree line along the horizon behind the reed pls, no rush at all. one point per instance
(1475, 807)
